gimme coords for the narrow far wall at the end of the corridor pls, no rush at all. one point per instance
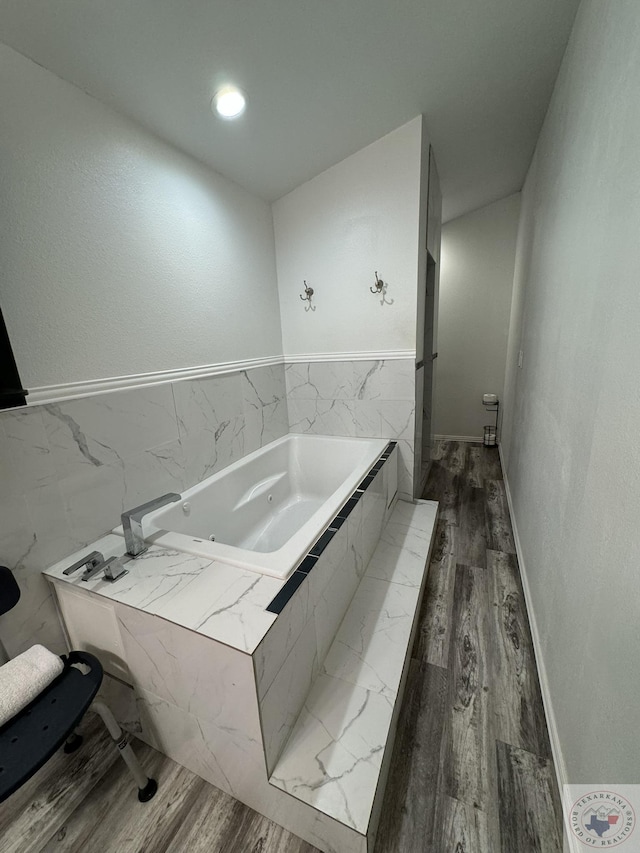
(476, 278)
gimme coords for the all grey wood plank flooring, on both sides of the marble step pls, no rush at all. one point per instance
(471, 769)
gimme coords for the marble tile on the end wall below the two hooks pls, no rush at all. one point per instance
(365, 399)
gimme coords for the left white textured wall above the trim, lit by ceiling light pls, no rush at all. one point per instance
(119, 254)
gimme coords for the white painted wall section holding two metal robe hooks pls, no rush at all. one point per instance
(335, 231)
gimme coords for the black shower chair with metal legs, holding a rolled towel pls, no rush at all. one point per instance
(29, 739)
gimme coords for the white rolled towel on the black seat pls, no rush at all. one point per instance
(24, 678)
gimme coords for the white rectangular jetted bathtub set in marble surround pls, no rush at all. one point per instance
(266, 510)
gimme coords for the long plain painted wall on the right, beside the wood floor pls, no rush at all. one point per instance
(571, 428)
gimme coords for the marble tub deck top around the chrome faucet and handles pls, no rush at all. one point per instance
(220, 601)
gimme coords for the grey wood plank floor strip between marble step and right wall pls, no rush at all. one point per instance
(472, 769)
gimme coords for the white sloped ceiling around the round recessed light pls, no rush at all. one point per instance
(324, 78)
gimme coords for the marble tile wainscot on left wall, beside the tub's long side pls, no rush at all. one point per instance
(68, 470)
